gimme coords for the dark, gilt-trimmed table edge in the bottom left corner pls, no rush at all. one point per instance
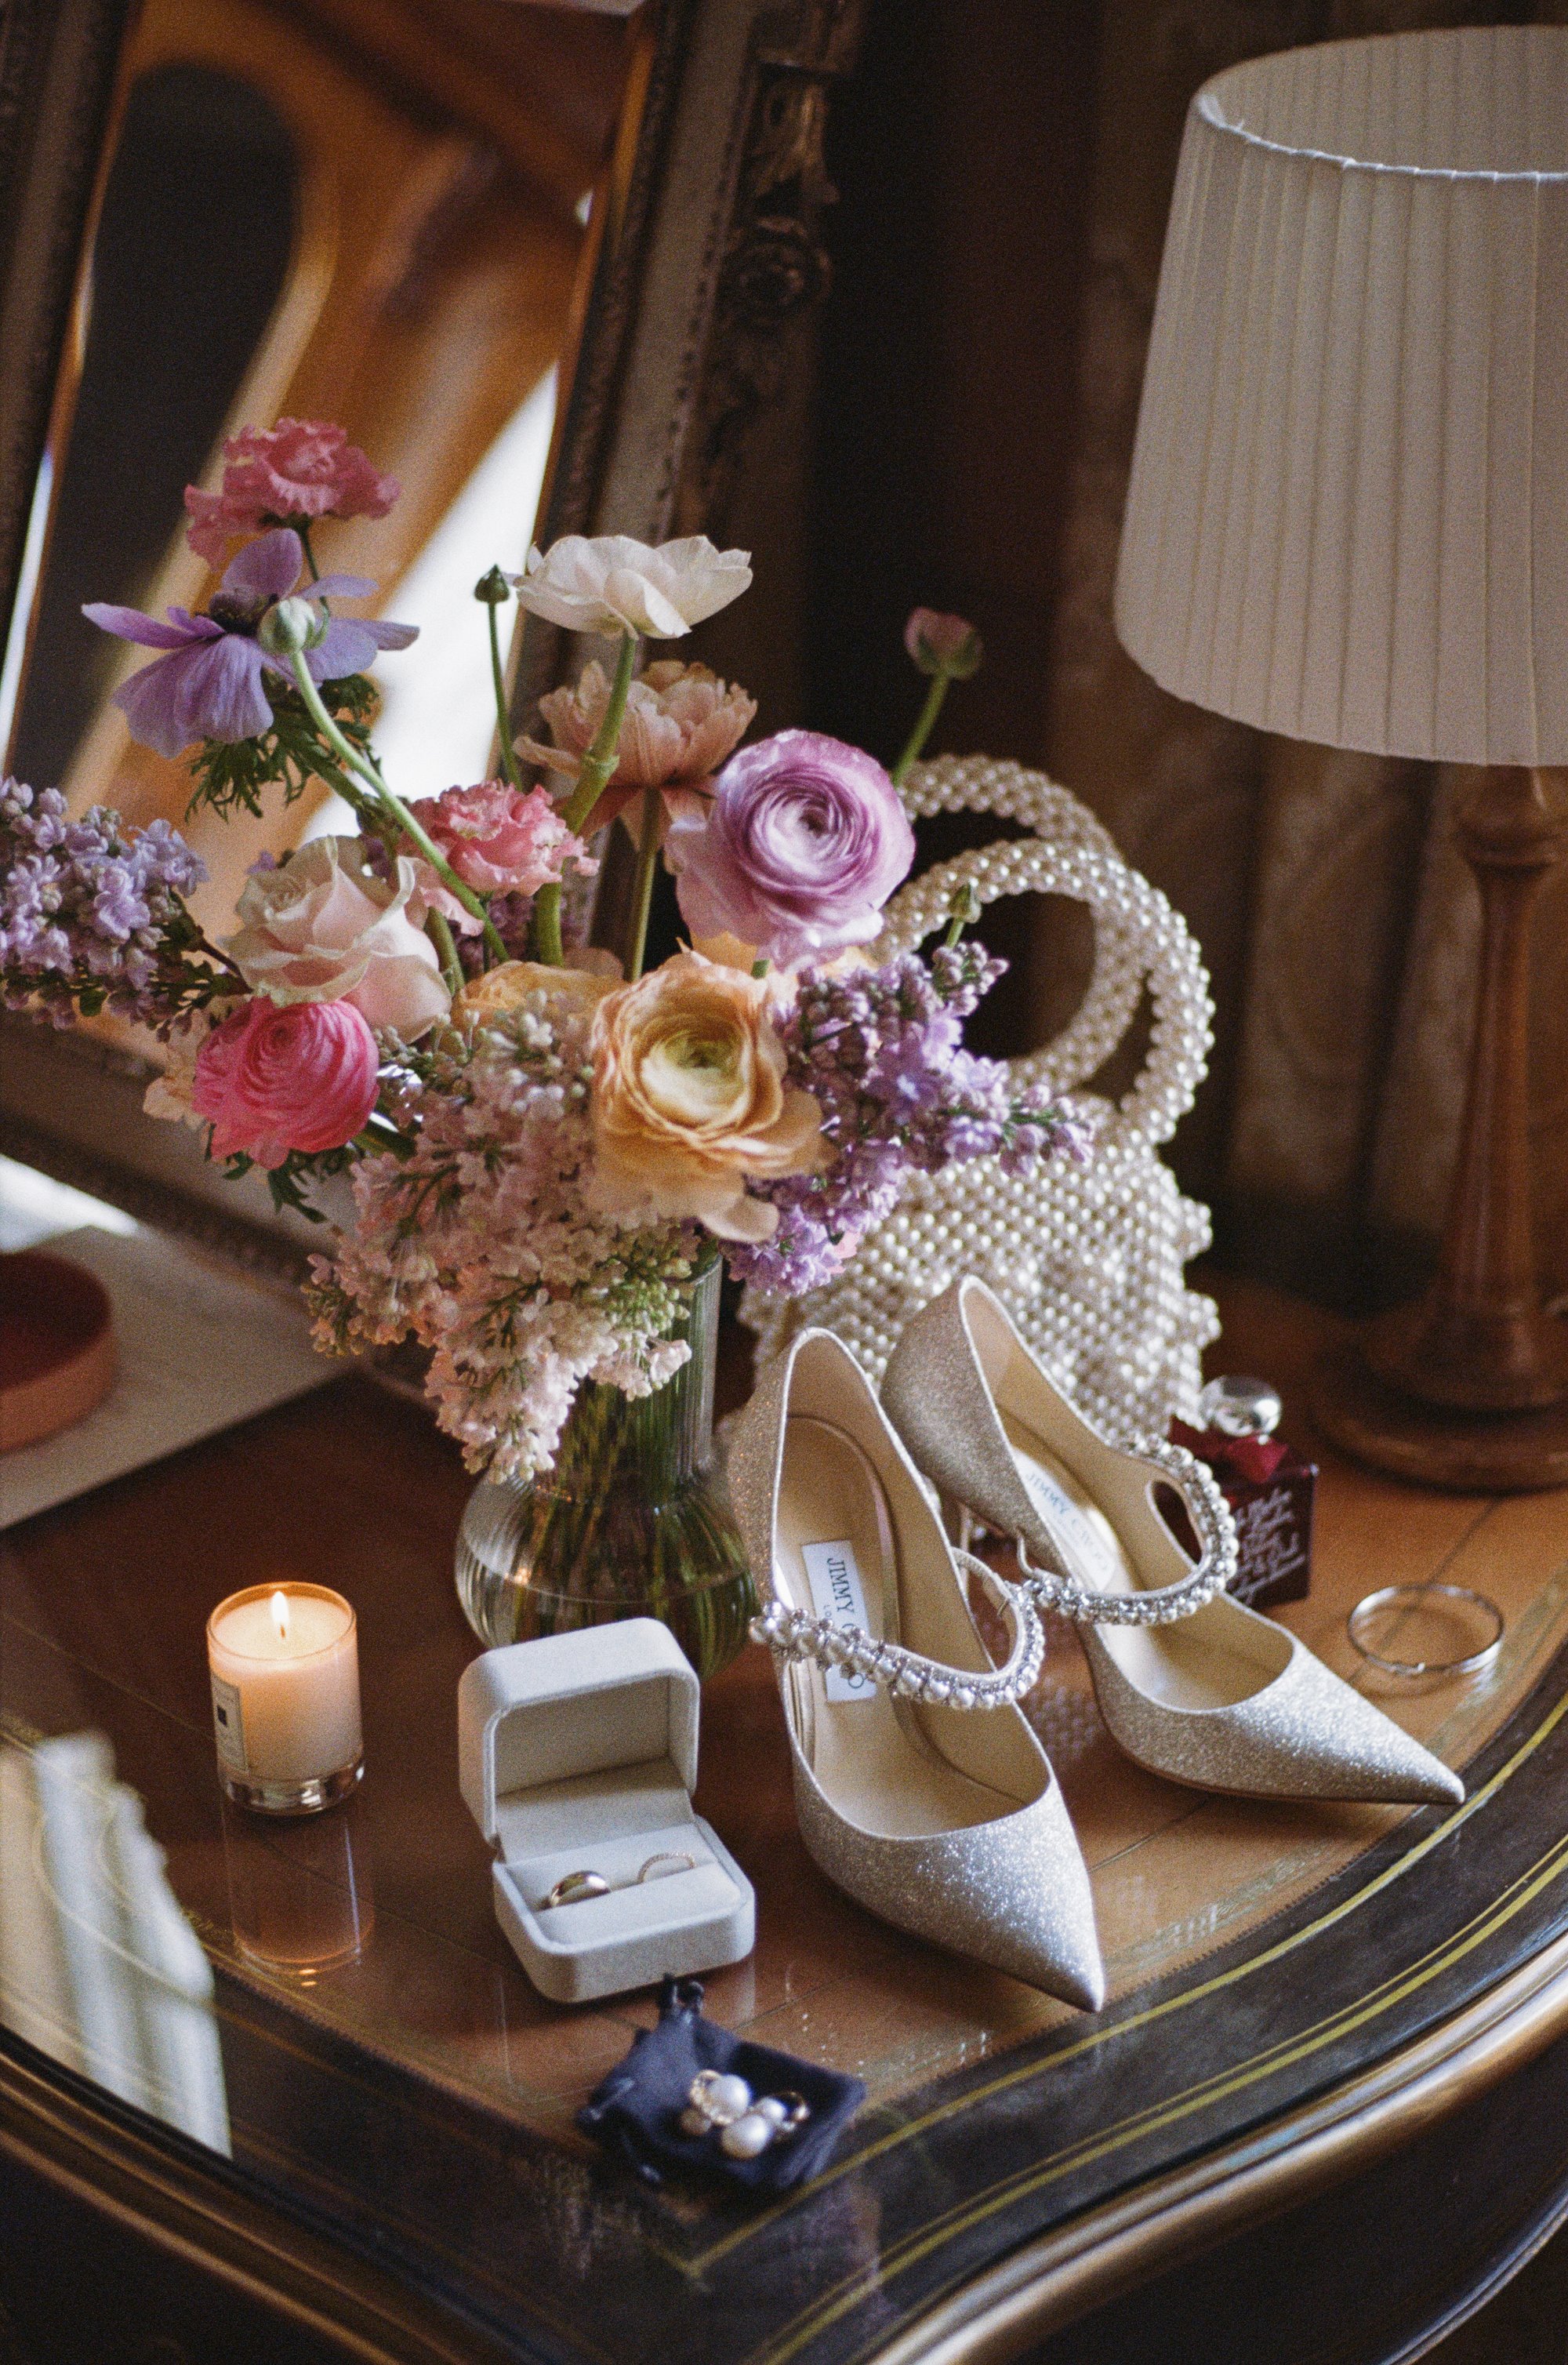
(160, 2191)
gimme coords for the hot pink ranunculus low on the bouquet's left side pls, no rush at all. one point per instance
(271, 1080)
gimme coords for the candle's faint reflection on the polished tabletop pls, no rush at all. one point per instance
(299, 1898)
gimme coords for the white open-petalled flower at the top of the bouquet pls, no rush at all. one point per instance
(611, 583)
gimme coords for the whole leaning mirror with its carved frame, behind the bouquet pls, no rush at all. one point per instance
(547, 264)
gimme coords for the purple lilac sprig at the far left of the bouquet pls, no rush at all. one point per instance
(93, 914)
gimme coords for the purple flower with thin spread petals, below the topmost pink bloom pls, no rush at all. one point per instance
(209, 685)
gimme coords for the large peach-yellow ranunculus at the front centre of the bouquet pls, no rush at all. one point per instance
(692, 1101)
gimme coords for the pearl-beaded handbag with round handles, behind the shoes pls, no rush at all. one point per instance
(1087, 1259)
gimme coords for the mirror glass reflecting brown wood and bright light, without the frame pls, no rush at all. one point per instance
(377, 223)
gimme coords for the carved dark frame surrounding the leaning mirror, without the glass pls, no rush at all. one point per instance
(708, 259)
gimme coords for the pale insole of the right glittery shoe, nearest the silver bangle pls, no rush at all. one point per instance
(1203, 1661)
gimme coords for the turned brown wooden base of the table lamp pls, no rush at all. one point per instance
(1470, 1385)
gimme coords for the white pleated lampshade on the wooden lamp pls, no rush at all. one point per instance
(1349, 503)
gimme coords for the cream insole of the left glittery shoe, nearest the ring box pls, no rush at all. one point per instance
(838, 1560)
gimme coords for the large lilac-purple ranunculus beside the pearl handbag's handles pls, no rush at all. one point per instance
(801, 850)
